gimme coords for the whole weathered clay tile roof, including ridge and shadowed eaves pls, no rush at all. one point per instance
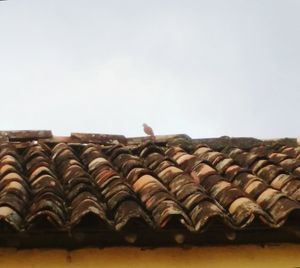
(95, 189)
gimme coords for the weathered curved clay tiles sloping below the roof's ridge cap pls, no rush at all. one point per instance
(175, 185)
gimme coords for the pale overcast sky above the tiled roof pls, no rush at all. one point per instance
(204, 68)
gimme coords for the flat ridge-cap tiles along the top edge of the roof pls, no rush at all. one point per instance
(18, 136)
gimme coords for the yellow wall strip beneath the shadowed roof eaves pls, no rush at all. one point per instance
(229, 256)
